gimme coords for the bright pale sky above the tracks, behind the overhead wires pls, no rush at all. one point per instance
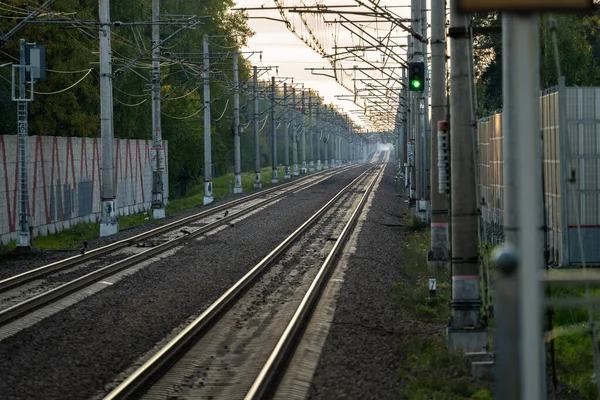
(282, 48)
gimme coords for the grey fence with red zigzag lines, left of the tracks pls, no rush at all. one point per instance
(64, 181)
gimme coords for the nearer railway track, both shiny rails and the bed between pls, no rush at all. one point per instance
(242, 342)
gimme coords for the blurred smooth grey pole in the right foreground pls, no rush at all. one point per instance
(523, 230)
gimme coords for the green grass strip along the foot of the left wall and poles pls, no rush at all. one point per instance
(74, 237)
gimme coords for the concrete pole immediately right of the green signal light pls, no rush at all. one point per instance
(439, 205)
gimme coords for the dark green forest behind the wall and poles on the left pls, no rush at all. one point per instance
(69, 31)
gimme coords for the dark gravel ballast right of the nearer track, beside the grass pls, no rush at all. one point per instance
(360, 357)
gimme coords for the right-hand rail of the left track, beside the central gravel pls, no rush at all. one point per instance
(12, 313)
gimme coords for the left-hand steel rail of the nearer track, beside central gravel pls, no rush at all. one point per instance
(137, 383)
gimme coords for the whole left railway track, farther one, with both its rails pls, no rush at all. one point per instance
(28, 292)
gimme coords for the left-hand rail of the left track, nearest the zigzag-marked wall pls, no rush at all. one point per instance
(16, 280)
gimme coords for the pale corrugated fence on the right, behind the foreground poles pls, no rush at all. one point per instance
(570, 128)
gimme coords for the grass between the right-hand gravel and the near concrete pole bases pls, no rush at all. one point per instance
(428, 370)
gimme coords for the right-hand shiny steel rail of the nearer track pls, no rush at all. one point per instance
(275, 366)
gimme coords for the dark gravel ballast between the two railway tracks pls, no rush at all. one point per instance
(75, 353)
